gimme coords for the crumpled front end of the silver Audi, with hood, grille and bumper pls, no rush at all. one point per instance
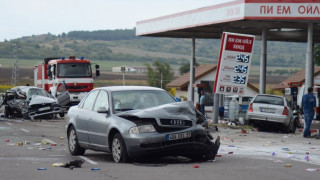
(176, 129)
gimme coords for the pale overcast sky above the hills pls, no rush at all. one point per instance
(33, 17)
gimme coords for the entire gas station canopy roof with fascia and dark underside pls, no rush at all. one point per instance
(284, 20)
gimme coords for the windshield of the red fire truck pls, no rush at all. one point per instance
(74, 70)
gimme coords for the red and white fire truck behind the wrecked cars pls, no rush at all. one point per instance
(69, 80)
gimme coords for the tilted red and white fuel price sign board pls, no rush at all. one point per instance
(234, 64)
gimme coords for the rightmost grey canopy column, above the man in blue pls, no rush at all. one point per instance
(309, 58)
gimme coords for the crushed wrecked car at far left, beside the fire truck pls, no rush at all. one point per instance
(29, 102)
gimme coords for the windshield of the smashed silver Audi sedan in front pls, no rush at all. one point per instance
(139, 99)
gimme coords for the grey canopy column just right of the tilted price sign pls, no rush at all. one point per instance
(263, 62)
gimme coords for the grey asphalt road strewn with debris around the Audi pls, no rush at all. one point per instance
(252, 155)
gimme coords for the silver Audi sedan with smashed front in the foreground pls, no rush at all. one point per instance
(136, 122)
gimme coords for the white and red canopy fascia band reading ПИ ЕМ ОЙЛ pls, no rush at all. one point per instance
(304, 10)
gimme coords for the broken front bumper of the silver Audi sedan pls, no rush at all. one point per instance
(198, 145)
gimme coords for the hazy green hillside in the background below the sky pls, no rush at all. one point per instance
(123, 45)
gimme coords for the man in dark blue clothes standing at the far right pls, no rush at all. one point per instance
(309, 108)
